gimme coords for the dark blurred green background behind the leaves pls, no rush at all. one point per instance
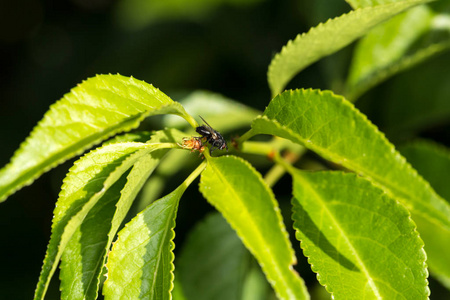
(225, 46)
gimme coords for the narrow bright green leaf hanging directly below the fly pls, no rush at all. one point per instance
(247, 203)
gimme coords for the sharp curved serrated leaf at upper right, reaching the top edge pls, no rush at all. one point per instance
(326, 39)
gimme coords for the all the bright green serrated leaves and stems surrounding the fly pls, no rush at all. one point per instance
(370, 225)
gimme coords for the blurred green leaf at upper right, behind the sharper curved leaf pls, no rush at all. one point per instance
(400, 43)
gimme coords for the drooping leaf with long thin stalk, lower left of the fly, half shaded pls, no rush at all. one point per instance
(140, 265)
